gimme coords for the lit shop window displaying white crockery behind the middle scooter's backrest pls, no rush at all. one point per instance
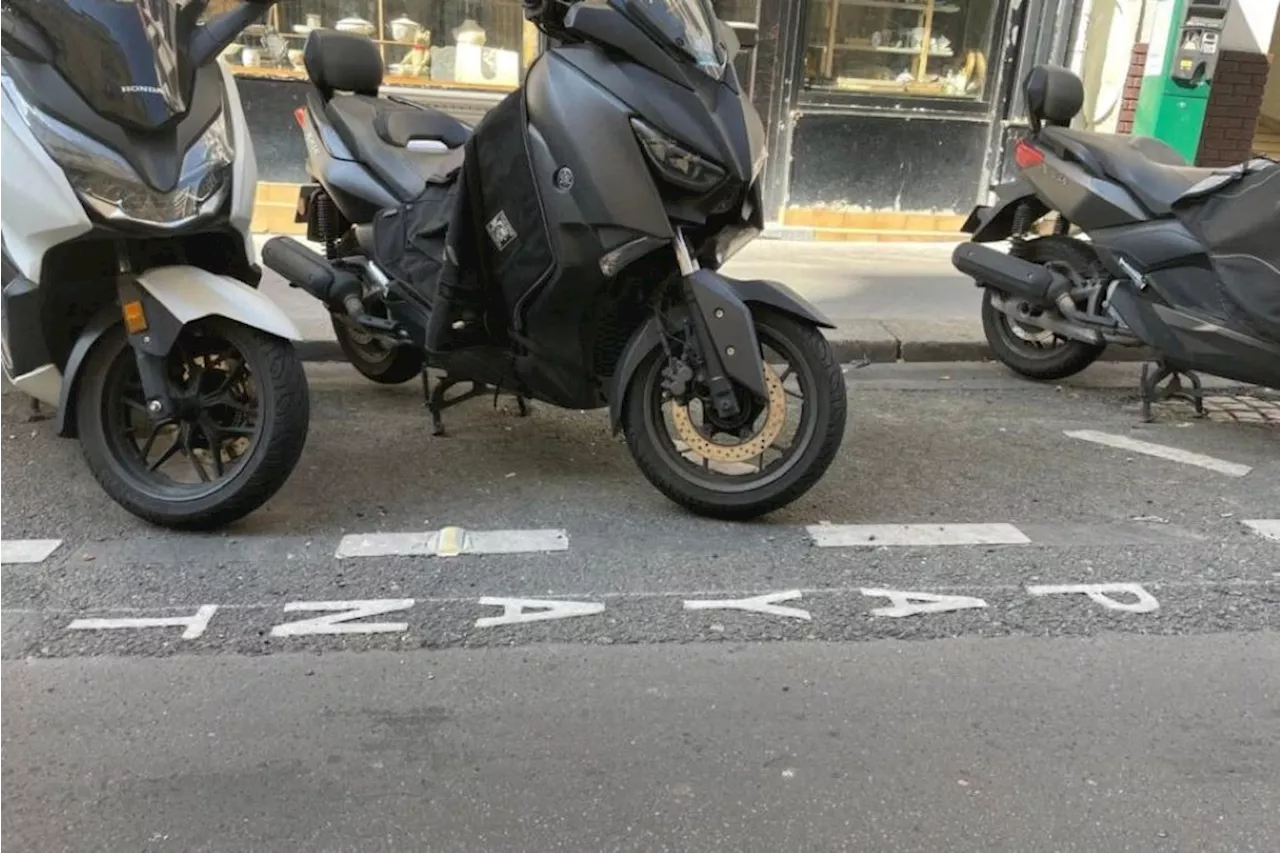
(456, 44)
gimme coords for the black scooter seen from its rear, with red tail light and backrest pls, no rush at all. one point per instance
(1181, 259)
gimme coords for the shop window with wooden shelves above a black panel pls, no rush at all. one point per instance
(900, 48)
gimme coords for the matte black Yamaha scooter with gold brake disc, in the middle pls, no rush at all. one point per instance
(565, 249)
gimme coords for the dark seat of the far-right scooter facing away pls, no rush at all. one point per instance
(1149, 168)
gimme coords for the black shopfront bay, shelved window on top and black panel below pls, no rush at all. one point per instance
(893, 115)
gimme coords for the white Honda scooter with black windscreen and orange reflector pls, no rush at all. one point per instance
(127, 275)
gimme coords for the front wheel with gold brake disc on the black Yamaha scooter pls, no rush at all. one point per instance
(771, 457)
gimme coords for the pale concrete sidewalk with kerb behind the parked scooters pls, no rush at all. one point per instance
(890, 302)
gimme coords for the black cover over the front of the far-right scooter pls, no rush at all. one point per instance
(1237, 217)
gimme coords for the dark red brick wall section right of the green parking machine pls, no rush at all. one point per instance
(1235, 106)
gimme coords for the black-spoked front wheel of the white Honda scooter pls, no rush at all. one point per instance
(240, 425)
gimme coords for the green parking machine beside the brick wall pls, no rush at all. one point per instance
(1185, 49)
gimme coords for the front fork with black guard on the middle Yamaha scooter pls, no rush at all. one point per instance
(725, 332)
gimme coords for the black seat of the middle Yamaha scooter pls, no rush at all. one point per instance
(404, 145)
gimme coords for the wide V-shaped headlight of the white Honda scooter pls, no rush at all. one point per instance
(108, 185)
